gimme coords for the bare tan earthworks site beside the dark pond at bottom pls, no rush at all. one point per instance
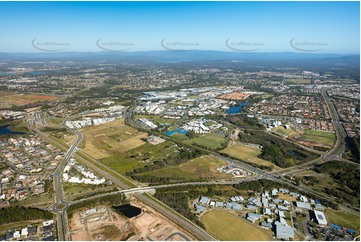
(106, 224)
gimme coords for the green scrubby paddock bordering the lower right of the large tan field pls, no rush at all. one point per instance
(138, 157)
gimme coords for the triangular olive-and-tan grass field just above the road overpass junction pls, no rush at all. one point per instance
(198, 168)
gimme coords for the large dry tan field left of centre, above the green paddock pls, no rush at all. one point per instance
(104, 140)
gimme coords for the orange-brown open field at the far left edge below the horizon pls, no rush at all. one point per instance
(8, 99)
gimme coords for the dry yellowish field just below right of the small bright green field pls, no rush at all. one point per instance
(246, 153)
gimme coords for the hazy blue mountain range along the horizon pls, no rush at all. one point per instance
(176, 56)
